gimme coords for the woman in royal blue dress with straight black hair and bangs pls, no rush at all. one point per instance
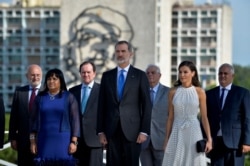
(54, 123)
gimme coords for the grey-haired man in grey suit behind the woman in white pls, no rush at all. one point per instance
(152, 150)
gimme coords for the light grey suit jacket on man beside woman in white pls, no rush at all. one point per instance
(158, 119)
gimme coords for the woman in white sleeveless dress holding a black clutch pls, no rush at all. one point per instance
(186, 100)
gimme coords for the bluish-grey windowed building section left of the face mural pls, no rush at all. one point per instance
(27, 36)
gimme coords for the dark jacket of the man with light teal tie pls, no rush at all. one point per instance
(89, 119)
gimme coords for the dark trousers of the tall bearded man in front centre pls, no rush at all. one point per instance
(121, 152)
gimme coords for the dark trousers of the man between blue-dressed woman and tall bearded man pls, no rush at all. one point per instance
(88, 156)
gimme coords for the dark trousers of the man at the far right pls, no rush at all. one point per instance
(224, 156)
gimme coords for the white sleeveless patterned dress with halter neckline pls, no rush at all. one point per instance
(186, 131)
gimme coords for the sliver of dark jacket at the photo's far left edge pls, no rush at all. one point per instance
(2, 122)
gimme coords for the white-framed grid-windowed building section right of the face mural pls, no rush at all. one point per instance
(203, 35)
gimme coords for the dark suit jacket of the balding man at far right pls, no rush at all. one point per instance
(235, 116)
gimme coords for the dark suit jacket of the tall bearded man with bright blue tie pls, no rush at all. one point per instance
(133, 111)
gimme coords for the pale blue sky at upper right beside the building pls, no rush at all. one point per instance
(241, 29)
